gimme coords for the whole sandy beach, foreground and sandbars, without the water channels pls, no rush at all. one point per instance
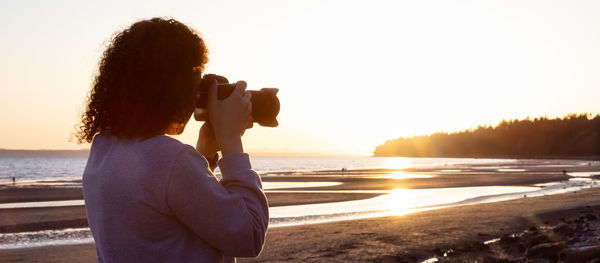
(458, 232)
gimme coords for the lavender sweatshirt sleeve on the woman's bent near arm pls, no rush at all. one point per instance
(231, 215)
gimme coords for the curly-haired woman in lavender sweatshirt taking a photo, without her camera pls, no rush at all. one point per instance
(150, 198)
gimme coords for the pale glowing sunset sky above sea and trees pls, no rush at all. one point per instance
(351, 74)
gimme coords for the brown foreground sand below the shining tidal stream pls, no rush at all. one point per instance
(407, 238)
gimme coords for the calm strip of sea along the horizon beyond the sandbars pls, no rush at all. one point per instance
(52, 168)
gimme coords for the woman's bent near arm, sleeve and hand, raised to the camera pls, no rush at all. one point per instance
(232, 215)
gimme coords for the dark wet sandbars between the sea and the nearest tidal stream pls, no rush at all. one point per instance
(34, 219)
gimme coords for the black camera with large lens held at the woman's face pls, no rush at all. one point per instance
(265, 104)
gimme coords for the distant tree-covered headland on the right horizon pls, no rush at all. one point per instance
(575, 135)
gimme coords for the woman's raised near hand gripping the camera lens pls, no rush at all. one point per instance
(229, 117)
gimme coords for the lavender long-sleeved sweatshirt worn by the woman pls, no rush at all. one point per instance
(156, 200)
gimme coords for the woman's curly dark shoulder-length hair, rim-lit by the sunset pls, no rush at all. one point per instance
(146, 82)
